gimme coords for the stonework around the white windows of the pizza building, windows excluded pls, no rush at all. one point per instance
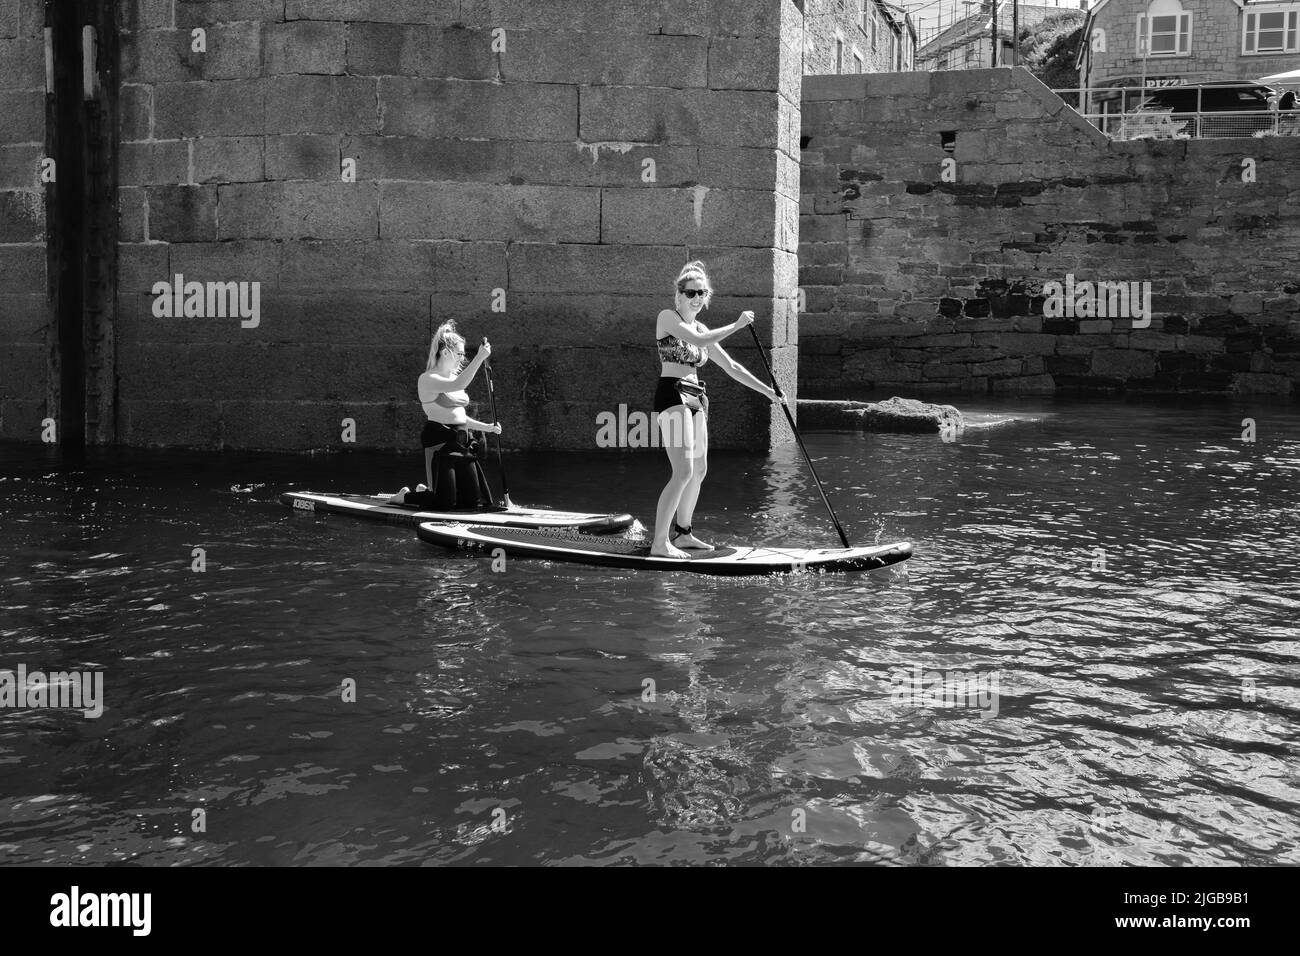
(1216, 47)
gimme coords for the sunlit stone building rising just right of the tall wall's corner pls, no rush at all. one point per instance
(857, 37)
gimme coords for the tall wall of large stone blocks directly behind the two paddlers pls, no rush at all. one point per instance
(566, 179)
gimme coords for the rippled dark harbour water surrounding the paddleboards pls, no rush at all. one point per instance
(1147, 693)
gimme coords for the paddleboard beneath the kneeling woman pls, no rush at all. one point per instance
(376, 508)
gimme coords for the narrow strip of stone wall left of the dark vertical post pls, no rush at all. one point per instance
(24, 310)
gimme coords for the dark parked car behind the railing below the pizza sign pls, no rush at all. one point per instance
(1224, 109)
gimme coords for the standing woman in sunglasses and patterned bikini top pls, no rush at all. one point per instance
(682, 406)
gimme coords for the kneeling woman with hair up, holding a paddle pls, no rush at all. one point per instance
(453, 474)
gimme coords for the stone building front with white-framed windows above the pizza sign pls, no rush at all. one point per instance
(1156, 44)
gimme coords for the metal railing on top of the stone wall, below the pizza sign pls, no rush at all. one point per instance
(1164, 123)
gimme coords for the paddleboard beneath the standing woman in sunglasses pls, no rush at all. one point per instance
(635, 553)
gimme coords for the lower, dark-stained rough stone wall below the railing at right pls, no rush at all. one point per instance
(921, 285)
